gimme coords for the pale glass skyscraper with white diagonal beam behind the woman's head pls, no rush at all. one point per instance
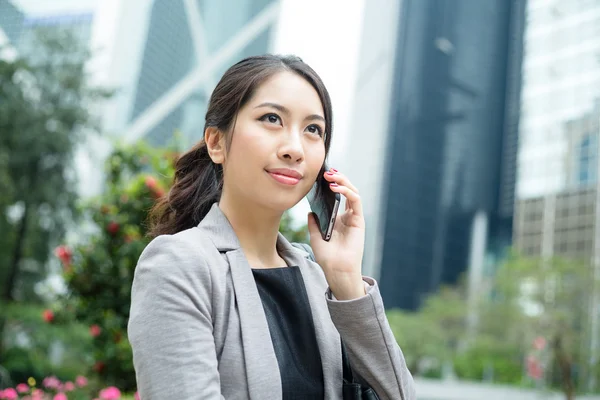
(184, 37)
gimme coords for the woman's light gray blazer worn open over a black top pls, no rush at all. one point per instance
(198, 330)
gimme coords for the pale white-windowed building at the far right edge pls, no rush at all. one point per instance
(557, 185)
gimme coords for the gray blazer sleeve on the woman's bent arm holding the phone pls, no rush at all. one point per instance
(372, 349)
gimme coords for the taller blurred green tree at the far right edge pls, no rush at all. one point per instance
(546, 299)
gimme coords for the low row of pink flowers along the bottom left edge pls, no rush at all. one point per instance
(53, 389)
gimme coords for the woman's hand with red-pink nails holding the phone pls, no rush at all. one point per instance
(341, 257)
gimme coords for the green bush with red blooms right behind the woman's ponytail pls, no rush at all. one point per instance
(99, 269)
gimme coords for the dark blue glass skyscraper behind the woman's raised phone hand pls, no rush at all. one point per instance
(452, 145)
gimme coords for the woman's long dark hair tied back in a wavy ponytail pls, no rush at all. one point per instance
(198, 181)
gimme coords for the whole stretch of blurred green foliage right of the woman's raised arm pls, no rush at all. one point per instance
(533, 317)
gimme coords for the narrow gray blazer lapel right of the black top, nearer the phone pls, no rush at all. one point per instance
(326, 333)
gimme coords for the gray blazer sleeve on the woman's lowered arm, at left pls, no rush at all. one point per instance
(170, 324)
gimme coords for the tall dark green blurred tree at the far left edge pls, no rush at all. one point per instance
(44, 102)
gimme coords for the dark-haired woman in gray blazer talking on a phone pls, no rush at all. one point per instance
(223, 306)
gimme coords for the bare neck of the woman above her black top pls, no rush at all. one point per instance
(256, 229)
